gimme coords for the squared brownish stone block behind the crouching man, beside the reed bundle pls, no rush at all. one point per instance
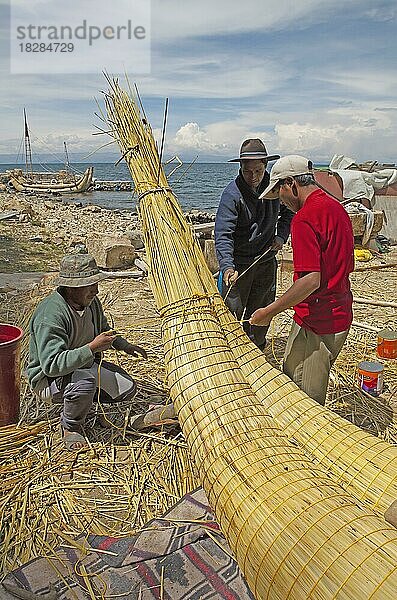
(111, 252)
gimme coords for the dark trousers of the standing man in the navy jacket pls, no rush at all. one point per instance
(253, 290)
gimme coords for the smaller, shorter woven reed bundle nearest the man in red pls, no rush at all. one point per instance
(363, 463)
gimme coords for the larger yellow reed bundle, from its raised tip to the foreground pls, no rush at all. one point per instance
(295, 532)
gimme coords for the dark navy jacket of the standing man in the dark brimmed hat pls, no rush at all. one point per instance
(245, 228)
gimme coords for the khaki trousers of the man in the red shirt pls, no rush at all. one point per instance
(308, 359)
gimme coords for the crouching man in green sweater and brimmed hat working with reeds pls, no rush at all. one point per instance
(68, 333)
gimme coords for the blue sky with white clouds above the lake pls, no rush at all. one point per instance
(307, 76)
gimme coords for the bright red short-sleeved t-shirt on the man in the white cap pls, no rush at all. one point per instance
(322, 241)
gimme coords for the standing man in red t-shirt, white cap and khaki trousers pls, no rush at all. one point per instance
(323, 254)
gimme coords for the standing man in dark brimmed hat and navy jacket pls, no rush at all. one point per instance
(248, 234)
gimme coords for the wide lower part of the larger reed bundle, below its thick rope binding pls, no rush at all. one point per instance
(292, 529)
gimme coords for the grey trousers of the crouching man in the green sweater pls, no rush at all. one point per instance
(77, 391)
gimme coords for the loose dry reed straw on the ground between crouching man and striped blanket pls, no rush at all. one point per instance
(46, 495)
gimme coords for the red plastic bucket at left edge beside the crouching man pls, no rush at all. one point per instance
(10, 369)
